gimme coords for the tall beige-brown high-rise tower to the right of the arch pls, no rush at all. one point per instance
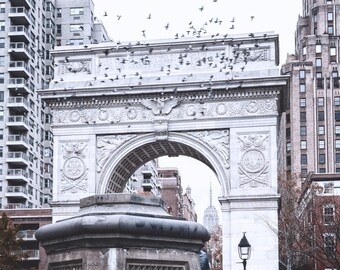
(311, 139)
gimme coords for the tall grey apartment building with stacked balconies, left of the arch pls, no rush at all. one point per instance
(29, 29)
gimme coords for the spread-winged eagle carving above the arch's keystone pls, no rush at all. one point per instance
(161, 106)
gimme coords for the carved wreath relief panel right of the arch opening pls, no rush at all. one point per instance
(253, 167)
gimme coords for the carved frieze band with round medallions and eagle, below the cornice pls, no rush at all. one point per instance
(170, 108)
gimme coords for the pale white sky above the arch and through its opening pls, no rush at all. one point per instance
(138, 20)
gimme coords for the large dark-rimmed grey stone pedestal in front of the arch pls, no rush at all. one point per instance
(122, 231)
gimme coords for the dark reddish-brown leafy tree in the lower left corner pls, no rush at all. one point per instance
(10, 246)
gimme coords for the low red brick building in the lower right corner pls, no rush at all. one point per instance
(319, 211)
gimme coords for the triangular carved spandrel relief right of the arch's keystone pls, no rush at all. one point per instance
(218, 140)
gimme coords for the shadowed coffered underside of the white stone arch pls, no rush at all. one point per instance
(139, 156)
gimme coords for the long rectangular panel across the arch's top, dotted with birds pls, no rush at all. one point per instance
(173, 61)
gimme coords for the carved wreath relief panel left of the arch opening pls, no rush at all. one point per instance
(74, 173)
